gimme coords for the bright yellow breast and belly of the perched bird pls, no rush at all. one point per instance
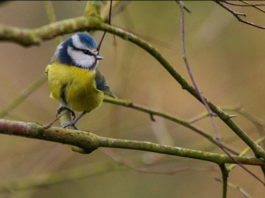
(74, 87)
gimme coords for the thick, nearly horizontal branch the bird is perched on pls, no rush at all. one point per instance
(89, 142)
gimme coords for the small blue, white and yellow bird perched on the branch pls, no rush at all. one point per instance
(73, 77)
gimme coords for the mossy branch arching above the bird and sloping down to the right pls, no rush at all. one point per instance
(27, 37)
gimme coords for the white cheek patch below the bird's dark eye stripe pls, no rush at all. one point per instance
(81, 59)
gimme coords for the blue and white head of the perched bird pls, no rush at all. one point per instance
(79, 50)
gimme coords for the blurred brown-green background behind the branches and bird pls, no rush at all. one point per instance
(227, 60)
